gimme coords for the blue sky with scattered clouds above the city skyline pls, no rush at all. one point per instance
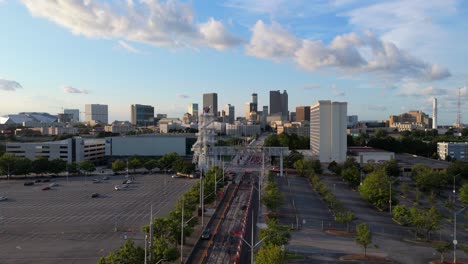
(382, 57)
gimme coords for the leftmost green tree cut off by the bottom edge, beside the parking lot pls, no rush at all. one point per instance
(128, 253)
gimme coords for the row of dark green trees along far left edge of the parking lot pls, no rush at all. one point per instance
(12, 165)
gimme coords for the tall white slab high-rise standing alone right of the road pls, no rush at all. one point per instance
(328, 122)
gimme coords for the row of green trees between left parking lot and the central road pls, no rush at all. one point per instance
(167, 231)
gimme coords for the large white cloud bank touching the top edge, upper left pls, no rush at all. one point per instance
(161, 23)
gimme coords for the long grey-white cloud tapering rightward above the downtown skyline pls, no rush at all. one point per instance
(349, 53)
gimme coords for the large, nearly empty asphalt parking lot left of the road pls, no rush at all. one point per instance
(66, 225)
